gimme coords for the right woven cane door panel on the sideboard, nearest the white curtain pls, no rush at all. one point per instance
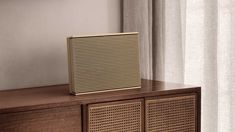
(173, 114)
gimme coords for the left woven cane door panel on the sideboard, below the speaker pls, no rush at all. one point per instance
(121, 116)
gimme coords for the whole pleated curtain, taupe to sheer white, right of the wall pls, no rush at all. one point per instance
(192, 42)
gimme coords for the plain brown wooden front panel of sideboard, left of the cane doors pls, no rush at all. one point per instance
(61, 119)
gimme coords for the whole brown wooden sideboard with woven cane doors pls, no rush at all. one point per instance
(157, 106)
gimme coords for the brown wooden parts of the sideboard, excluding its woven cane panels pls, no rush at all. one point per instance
(53, 109)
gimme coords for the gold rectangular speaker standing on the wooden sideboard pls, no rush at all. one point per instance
(103, 63)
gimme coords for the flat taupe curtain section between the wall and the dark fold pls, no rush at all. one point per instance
(137, 17)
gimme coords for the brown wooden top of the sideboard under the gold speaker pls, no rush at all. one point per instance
(52, 96)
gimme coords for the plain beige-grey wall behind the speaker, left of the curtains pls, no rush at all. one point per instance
(33, 35)
